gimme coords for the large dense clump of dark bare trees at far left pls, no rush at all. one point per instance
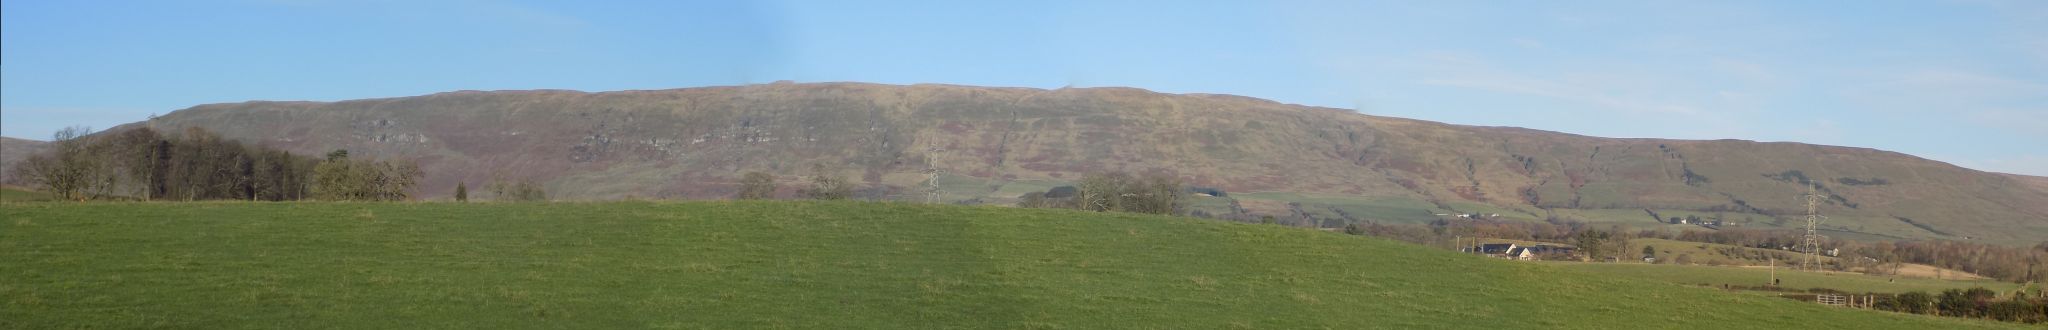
(200, 165)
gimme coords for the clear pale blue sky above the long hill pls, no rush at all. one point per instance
(1961, 81)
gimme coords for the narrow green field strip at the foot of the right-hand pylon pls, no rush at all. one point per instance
(1791, 280)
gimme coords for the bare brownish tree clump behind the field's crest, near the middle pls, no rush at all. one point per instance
(1117, 192)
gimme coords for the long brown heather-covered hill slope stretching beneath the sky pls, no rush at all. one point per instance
(1308, 165)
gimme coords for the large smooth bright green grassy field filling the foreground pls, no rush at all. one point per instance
(794, 265)
